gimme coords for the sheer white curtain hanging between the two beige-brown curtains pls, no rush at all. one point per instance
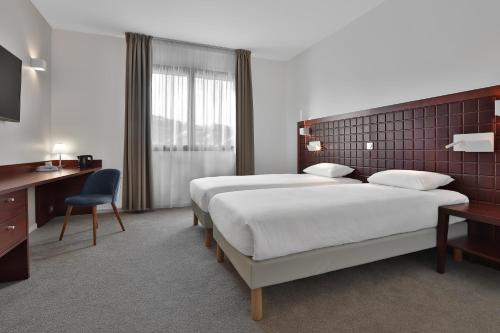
(193, 118)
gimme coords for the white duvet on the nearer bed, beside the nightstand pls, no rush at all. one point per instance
(272, 223)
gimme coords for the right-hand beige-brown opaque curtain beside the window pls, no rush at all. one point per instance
(245, 162)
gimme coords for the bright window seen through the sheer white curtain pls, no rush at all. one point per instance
(194, 111)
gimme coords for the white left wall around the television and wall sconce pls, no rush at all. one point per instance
(25, 33)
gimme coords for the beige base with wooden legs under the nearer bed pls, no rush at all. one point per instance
(259, 274)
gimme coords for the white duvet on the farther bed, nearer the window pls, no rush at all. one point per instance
(203, 189)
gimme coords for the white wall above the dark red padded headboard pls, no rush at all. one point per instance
(403, 50)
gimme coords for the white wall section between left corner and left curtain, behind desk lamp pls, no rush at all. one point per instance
(88, 95)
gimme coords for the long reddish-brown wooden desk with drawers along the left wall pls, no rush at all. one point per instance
(51, 188)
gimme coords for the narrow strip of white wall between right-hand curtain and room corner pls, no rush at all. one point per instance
(268, 79)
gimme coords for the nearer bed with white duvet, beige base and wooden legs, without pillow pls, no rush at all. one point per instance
(276, 235)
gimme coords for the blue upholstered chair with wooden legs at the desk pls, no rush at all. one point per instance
(100, 188)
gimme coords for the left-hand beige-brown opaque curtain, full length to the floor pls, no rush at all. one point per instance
(137, 151)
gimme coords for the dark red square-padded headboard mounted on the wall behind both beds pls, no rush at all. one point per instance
(412, 136)
